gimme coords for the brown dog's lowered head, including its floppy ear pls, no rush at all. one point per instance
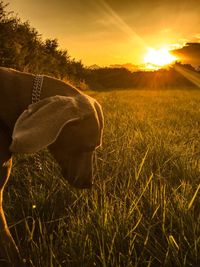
(71, 127)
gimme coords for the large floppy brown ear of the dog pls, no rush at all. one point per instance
(39, 125)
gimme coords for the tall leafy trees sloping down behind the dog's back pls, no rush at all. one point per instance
(22, 48)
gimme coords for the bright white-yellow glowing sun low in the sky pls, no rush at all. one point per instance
(155, 59)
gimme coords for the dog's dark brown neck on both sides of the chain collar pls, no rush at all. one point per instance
(16, 93)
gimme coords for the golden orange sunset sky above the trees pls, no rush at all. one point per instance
(105, 32)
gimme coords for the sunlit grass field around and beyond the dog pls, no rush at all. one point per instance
(144, 209)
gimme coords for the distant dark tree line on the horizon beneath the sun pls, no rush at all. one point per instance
(120, 78)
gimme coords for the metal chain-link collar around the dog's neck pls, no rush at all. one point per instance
(36, 93)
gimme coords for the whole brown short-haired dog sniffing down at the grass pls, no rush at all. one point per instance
(65, 120)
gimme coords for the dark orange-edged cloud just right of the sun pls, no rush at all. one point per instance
(189, 53)
